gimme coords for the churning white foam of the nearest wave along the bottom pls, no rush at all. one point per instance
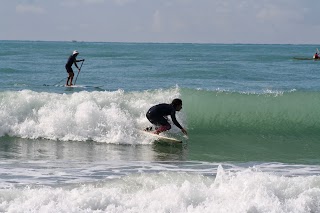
(240, 191)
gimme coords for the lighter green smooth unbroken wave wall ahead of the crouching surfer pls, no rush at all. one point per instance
(271, 112)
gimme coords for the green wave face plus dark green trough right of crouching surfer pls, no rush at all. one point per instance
(231, 126)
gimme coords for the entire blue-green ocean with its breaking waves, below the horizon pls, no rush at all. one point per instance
(251, 111)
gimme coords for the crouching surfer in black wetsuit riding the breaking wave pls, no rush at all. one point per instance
(158, 113)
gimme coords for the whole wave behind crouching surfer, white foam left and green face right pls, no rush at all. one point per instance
(114, 117)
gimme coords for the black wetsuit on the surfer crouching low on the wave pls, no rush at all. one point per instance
(156, 115)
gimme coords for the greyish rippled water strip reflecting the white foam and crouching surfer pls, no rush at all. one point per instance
(88, 151)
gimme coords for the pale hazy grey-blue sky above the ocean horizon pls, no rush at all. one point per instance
(177, 21)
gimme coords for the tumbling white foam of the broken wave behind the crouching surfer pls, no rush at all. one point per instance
(109, 117)
